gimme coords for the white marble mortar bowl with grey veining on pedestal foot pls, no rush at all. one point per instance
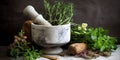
(51, 37)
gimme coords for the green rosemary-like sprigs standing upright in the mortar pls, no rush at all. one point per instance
(59, 13)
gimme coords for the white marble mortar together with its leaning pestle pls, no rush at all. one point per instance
(45, 34)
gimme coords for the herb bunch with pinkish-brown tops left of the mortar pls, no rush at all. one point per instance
(21, 47)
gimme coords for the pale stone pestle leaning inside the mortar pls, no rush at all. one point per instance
(35, 16)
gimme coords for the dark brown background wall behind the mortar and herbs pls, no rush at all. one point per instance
(97, 13)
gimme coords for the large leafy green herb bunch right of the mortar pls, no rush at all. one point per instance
(96, 38)
